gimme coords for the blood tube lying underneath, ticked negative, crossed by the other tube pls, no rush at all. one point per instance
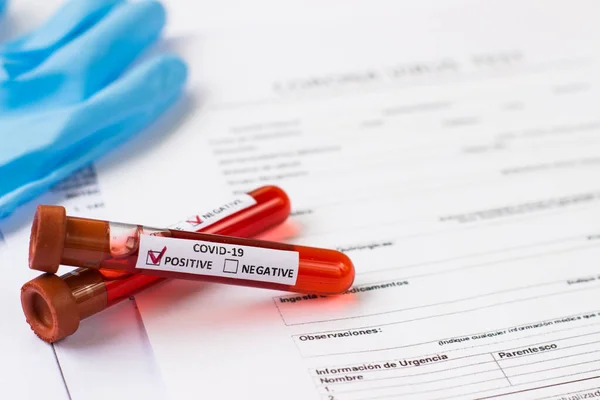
(54, 306)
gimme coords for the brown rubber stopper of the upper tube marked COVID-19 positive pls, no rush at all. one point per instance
(47, 238)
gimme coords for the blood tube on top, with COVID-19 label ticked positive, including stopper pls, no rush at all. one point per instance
(171, 253)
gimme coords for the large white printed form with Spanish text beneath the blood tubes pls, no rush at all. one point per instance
(451, 154)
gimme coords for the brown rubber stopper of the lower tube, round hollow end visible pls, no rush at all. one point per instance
(50, 308)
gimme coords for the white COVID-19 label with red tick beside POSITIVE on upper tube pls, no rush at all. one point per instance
(218, 259)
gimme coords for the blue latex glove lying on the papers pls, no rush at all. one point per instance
(64, 100)
